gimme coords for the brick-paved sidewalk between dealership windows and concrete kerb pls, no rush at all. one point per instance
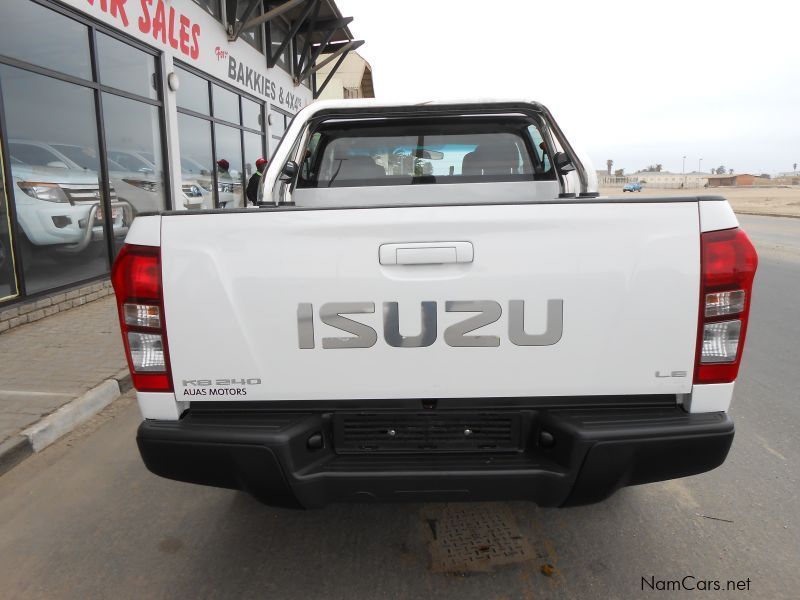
(47, 363)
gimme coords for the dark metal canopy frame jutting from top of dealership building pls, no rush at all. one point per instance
(307, 23)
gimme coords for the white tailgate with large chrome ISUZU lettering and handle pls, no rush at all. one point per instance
(608, 289)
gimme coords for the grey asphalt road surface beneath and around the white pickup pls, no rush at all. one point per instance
(85, 519)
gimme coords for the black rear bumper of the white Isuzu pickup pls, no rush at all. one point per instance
(592, 454)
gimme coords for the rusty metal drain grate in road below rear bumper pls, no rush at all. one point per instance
(469, 537)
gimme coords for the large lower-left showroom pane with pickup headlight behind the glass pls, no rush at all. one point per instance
(58, 200)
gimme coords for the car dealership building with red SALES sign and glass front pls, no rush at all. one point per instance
(113, 108)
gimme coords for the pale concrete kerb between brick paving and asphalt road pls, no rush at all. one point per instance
(52, 427)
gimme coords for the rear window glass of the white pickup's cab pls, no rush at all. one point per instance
(458, 150)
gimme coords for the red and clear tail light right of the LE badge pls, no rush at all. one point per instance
(728, 265)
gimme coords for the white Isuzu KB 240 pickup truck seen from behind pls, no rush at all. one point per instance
(435, 304)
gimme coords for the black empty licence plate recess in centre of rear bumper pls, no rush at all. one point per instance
(426, 432)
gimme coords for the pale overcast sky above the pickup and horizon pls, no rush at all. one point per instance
(637, 82)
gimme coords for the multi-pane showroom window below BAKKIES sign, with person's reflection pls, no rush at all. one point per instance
(221, 137)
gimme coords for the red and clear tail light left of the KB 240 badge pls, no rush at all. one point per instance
(136, 277)
